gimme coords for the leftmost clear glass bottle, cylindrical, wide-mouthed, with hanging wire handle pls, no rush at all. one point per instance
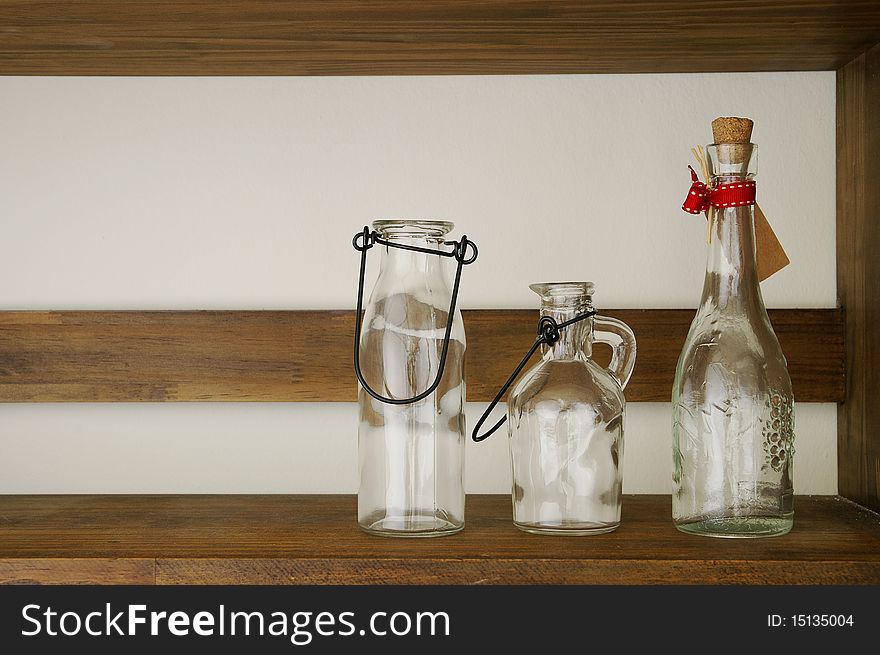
(410, 363)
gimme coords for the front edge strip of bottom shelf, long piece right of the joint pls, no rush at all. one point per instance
(509, 571)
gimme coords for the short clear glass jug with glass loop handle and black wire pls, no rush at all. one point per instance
(565, 418)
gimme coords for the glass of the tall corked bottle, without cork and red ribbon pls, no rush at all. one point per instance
(733, 435)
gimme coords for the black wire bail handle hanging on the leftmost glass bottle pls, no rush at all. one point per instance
(365, 240)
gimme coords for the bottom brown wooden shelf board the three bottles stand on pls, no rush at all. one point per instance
(314, 540)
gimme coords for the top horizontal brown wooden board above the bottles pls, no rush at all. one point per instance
(404, 37)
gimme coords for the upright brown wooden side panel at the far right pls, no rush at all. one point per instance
(858, 274)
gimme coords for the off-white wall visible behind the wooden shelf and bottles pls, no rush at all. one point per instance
(125, 193)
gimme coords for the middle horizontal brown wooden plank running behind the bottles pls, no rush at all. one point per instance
(306, 355)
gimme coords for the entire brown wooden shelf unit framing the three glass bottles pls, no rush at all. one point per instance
(161, 356)
